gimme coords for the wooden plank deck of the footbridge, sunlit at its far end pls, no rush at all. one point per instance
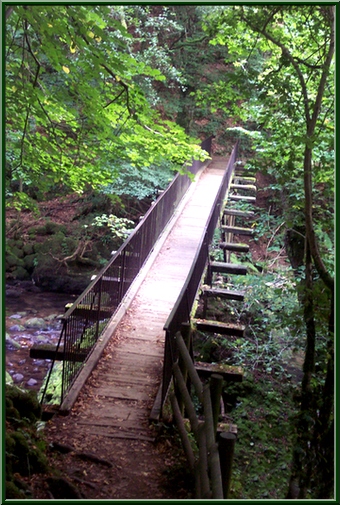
(122, 388)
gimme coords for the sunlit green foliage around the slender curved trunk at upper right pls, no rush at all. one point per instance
(282, 56)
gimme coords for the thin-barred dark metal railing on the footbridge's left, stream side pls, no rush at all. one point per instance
(87, 318)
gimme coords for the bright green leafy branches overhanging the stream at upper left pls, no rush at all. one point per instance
(74, 102)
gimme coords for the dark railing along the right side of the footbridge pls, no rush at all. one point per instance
(181, 312)
